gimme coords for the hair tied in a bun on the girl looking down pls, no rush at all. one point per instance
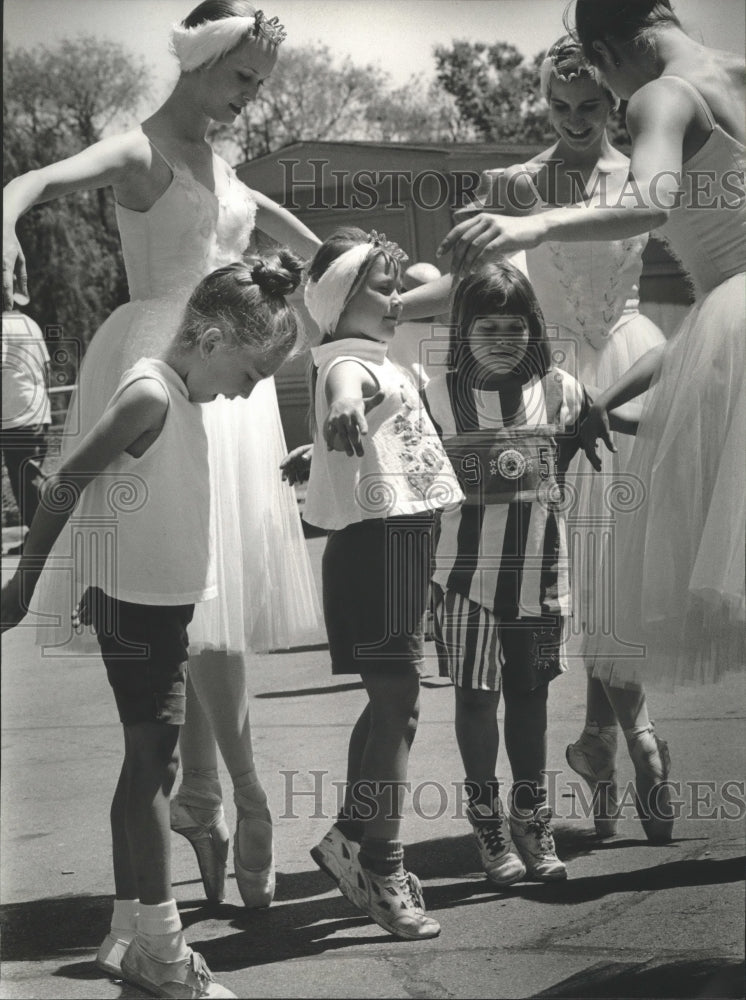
(247, 301)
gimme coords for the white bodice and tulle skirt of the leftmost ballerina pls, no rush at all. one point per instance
(266, 594)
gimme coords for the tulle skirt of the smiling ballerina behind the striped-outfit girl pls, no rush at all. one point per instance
(591, 495)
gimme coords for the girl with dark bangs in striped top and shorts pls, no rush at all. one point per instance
(509, 423)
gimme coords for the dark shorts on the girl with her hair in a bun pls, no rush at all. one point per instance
(145, 650)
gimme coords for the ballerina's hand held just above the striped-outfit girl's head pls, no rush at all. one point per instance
(486, 235)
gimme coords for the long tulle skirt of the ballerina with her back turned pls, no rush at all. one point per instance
(675, 563)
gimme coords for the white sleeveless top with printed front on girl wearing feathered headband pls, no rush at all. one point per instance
(404, 468)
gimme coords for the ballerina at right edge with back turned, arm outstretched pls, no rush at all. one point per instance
(678, 558)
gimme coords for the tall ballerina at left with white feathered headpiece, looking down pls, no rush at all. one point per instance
(182, 212)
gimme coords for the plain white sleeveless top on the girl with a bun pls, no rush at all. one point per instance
(153, 512)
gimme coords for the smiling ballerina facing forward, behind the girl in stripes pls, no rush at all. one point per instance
(589, 292)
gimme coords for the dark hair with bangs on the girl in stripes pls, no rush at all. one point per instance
(500, 288)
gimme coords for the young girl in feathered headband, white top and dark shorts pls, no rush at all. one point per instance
(377, 502)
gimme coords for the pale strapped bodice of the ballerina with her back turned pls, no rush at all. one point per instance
(707, 230)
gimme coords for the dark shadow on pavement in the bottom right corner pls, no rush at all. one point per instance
(697, 978)
